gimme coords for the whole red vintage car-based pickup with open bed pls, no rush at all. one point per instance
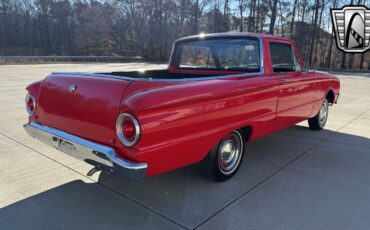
(219, 92)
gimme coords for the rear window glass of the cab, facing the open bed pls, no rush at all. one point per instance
(219, 54)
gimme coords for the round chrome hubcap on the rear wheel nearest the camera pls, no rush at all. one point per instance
(229, 153)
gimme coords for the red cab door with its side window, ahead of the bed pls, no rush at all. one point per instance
(296, 87)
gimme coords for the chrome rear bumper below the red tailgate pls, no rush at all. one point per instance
(88, 151)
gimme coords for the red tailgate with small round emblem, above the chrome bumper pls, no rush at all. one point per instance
(85, 106)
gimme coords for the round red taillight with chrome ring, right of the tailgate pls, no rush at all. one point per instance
(128, 129)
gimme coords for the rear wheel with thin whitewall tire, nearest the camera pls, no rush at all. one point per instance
(225, 158)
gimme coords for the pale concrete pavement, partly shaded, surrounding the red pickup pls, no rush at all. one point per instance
(294, 179)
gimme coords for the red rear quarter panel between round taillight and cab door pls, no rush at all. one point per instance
(181, 123)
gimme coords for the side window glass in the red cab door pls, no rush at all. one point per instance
(282, 57)
